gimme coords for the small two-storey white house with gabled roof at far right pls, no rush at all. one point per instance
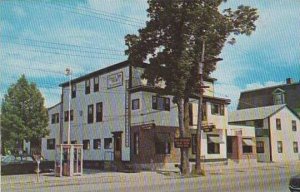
(277, 130)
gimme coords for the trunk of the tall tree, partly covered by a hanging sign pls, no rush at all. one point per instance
(184, 161)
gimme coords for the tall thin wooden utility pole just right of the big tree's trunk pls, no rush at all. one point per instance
(199, 125)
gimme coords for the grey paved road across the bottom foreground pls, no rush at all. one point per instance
(268, 179)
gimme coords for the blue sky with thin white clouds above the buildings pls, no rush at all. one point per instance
(42, 38)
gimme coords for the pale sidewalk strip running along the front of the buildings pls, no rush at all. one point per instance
(97, 176)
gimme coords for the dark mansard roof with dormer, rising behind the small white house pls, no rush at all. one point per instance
(288, 94)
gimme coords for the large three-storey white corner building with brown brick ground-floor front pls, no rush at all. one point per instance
(118, 116)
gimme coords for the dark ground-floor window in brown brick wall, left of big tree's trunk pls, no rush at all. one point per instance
(162, 143)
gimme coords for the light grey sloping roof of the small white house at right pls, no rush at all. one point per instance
(254, 113)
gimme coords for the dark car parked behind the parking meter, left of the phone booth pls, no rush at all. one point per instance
(11, 165)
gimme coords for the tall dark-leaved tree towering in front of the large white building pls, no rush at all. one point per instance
(173, 41)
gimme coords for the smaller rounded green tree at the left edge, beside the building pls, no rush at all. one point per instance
(23, 115)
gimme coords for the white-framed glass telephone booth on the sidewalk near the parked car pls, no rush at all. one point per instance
(68, 160)
